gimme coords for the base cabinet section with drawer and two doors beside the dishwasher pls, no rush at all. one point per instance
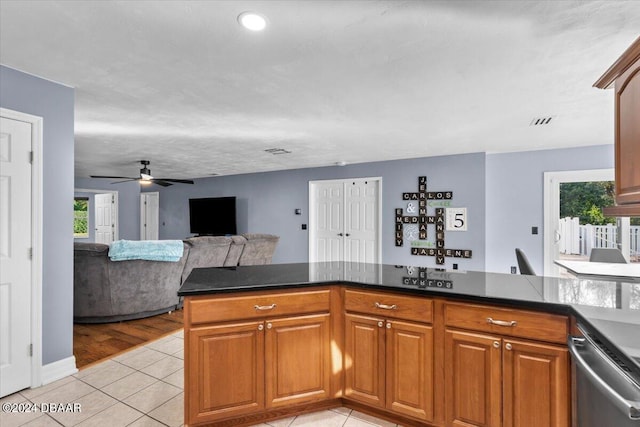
(496, 380)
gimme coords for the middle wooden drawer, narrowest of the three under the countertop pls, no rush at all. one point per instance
(389, 305)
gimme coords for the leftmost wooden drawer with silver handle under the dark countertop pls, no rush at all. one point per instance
(222, 309)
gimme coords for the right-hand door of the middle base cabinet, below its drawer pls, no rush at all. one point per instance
(409, 357)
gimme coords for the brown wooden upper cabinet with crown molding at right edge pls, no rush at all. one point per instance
(624, 76)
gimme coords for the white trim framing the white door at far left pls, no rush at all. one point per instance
(36, 238)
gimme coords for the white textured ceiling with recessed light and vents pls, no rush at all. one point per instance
(180, 83)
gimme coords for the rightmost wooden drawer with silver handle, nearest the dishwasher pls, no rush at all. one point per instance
(506, 321)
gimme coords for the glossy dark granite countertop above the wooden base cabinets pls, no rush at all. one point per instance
(609, 309)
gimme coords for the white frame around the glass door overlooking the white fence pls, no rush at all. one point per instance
(552, 182)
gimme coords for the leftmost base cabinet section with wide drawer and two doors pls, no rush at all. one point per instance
(235, 368)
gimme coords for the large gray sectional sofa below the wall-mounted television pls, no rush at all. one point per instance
(112, 291)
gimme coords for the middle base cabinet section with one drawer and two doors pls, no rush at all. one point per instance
(389, 361)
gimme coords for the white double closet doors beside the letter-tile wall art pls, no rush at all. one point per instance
(344, 220)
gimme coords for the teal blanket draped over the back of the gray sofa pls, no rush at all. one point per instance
(150, 250)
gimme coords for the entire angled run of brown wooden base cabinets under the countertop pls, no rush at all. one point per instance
(255, 356)
